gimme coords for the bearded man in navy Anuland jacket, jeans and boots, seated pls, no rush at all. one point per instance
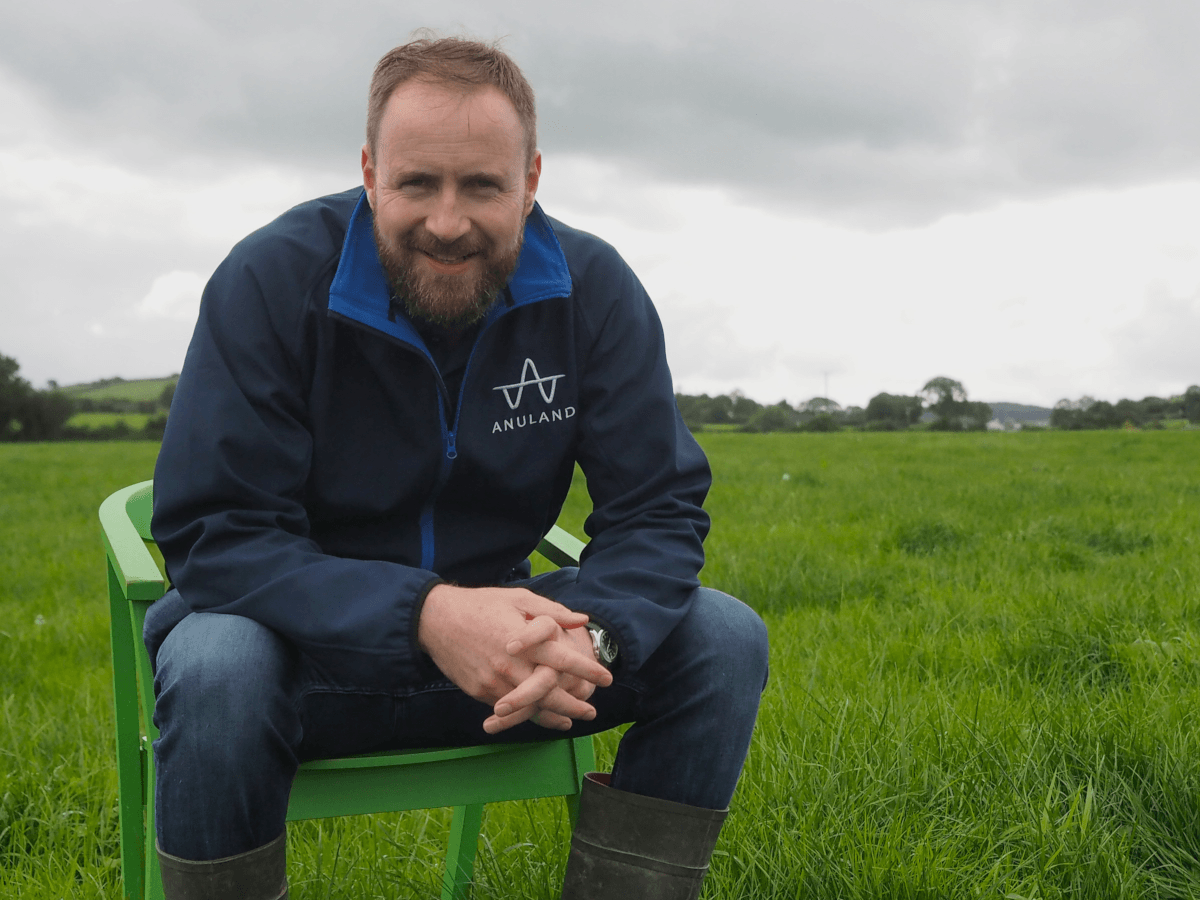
(379, 419)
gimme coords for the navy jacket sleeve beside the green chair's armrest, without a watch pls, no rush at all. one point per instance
(230, 491)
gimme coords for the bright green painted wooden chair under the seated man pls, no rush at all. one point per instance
(464, 778)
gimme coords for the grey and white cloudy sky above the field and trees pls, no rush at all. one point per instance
(861, 195)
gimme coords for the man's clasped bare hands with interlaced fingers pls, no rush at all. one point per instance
(531, 658)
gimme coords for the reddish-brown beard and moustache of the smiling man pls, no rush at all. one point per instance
(453, 302)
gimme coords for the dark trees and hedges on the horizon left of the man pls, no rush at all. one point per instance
(32, 415)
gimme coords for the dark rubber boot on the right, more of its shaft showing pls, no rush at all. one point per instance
(633, 848)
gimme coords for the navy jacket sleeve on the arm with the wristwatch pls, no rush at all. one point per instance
(646, 475)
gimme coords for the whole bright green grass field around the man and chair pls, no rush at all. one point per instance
(986, 675)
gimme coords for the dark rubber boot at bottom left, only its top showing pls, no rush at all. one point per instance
(260, 874)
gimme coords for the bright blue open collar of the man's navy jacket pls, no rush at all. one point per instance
(361, 290)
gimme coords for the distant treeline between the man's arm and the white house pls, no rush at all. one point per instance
(944, 399)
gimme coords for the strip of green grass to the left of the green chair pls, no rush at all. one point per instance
(58, 789)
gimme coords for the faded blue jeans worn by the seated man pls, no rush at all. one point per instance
(239, 709)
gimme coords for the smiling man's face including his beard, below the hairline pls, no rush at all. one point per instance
(451, 189)
